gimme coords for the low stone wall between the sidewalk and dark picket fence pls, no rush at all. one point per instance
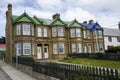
(28, 70)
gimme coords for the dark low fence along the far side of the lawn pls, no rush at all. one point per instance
(96, 56)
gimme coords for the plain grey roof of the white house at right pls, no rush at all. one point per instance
(111, 32)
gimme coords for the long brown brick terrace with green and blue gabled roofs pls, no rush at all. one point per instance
(50, 38)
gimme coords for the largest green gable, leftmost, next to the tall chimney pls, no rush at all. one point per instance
(24, 18)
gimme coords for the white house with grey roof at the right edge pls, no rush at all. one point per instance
(111, 37)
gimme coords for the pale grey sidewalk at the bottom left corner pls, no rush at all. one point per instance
(14, 73)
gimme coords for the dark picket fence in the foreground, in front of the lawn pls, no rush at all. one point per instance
(75, 72)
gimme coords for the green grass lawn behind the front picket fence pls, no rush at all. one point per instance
(94, 62)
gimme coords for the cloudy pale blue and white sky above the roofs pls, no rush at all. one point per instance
(105, 12)
